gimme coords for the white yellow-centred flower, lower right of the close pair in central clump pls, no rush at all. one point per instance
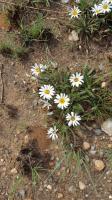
(62, 100)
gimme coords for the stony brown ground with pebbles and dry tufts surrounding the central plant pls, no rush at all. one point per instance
(23, 128)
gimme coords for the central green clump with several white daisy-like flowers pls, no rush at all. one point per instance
(72, 98)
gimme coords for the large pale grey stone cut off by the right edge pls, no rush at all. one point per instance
(107, 127)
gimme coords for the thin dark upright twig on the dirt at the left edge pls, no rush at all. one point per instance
(1, 85)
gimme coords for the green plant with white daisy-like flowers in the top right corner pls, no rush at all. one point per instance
(89, 17)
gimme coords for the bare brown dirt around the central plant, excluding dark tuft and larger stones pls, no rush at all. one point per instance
(19, 112)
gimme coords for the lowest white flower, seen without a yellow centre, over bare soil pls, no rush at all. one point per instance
(52, 133)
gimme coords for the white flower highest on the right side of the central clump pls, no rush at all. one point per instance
(76, 79)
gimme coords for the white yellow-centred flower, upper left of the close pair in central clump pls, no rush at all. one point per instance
(46, 92)
